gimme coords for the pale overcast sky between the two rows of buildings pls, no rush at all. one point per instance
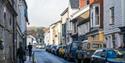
(45, 12)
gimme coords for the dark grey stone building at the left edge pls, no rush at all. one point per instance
(8, 16)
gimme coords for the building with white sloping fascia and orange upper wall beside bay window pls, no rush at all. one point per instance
(80, 21)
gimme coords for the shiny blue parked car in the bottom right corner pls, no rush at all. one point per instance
(107, 56)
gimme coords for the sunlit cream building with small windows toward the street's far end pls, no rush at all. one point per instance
(55, 33)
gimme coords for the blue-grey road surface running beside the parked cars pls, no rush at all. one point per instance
(41, 56)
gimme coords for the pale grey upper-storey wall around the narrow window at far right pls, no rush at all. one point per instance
(118, 16)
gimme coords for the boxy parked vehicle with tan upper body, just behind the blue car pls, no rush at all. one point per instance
(86, 49)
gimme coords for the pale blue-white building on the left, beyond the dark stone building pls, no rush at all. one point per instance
(22, 20)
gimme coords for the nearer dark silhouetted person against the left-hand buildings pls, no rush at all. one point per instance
(21, 54)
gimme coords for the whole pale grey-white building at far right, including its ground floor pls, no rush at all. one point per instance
(114, 23)
